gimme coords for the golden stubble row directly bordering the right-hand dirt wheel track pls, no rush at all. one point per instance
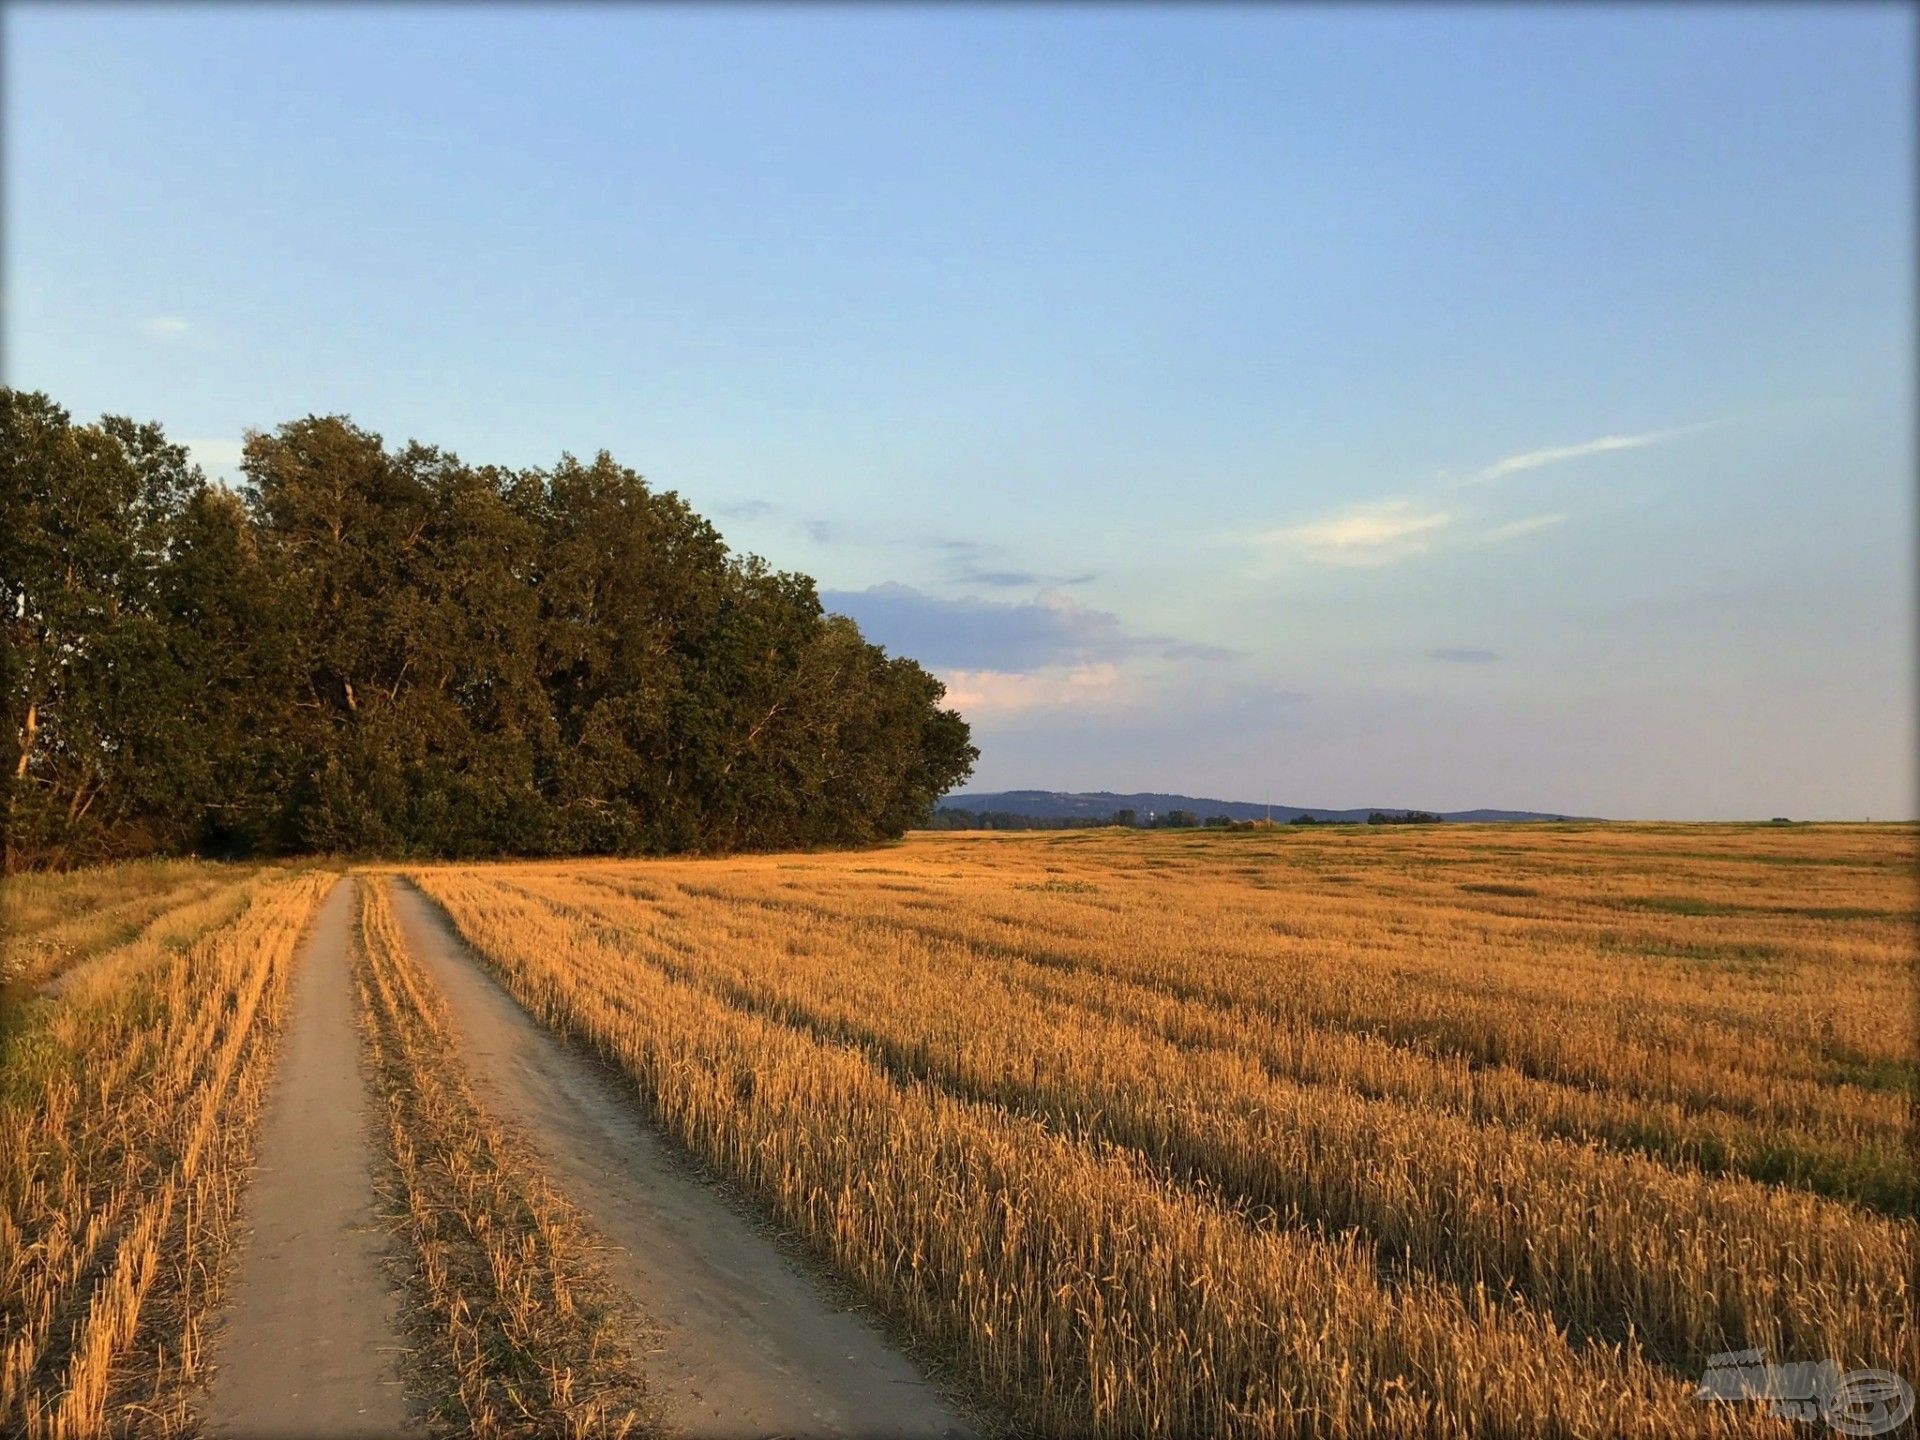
(1072, 1280)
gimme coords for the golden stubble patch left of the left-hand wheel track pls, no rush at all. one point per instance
(128, 1109)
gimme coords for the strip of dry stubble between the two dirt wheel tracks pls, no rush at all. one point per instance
(519, 1337)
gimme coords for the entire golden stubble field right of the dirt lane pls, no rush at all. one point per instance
(1188, 1132)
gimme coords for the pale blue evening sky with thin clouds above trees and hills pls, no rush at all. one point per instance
(1358, 406)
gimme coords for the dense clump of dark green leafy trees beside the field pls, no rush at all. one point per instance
(393, 652)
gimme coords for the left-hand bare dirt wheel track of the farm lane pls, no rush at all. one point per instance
(310, 1341)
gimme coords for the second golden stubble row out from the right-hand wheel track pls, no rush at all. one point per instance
(1608, 1243)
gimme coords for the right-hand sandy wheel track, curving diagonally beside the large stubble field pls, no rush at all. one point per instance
(752, 1345)
